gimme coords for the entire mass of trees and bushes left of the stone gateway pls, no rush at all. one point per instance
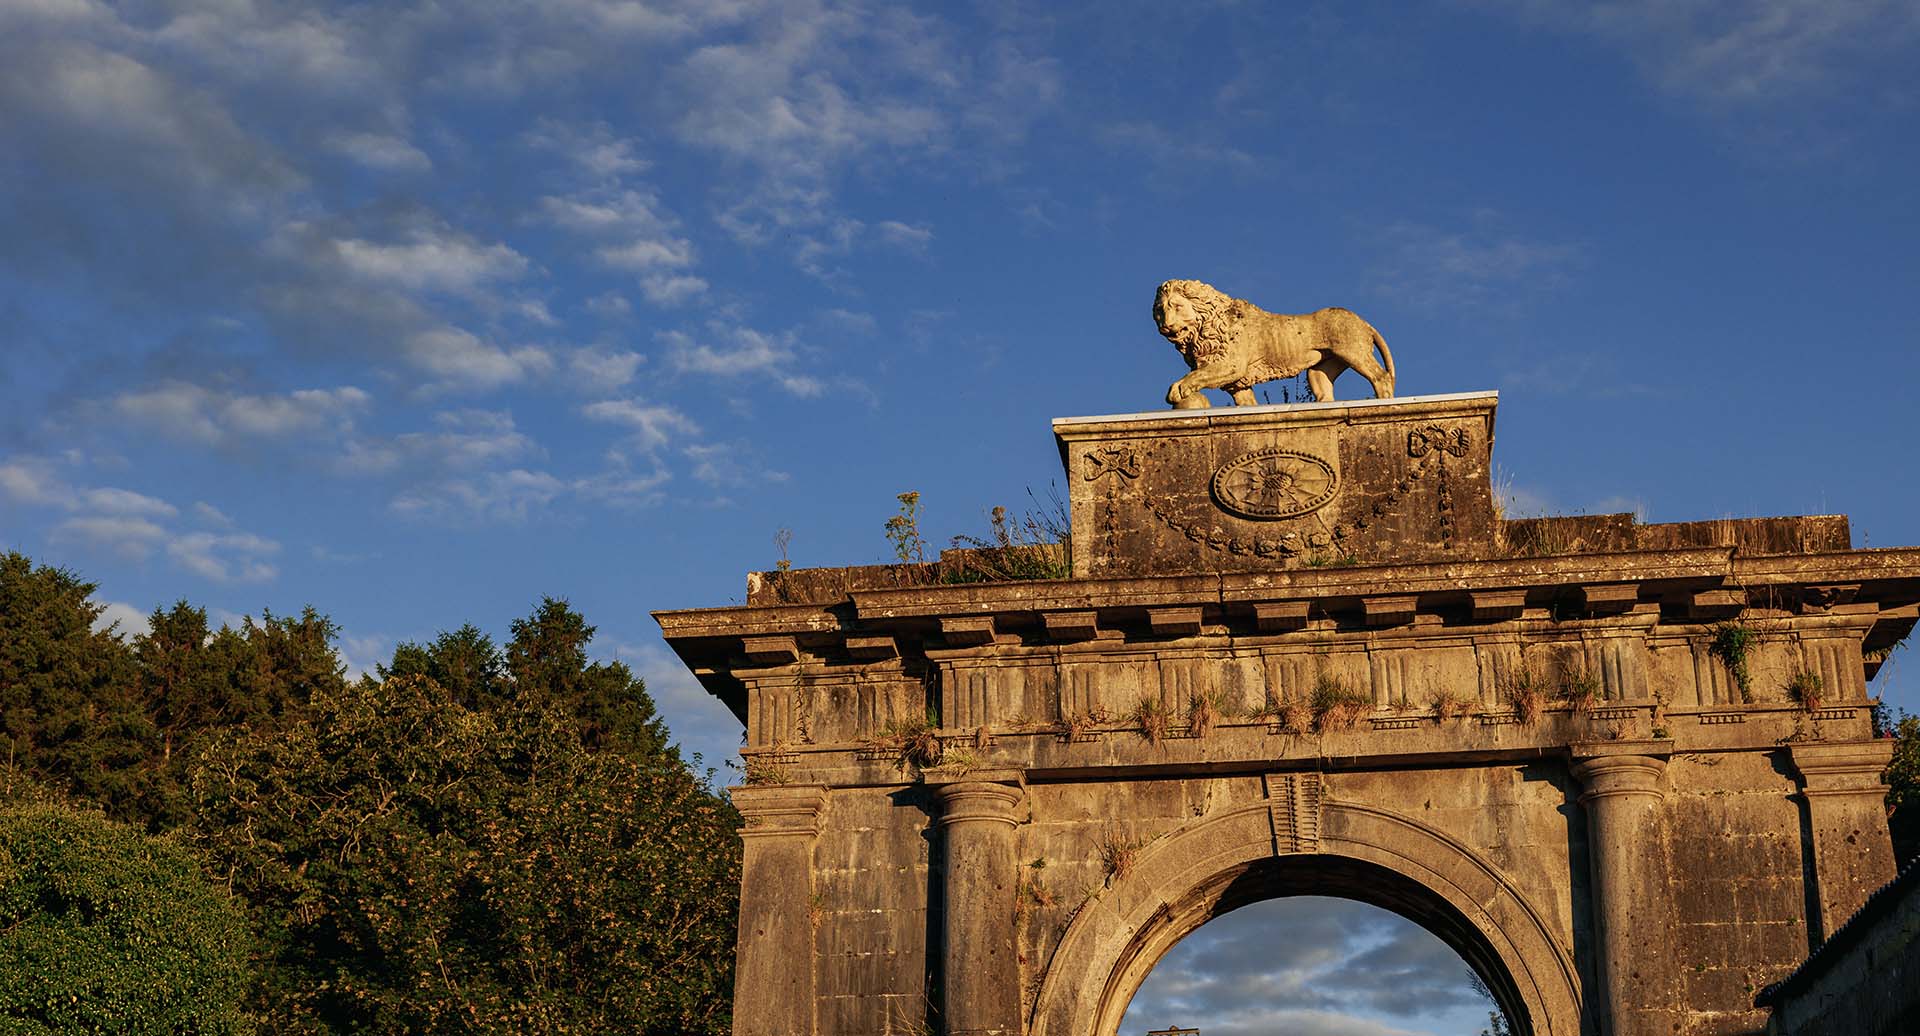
(479, 839)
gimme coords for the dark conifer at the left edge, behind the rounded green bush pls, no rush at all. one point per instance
(68, 703)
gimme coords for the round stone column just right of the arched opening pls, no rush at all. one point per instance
(1633, 903)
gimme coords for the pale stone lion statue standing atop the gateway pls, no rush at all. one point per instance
(1234, 346)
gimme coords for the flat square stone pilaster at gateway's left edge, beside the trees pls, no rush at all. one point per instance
(775, 972)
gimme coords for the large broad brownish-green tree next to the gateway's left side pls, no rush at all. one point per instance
(418, 866)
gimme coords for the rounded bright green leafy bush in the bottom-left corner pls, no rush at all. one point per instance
(105, 930)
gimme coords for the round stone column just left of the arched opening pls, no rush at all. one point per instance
(980, 968)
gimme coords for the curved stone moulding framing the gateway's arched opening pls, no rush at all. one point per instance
(1224, 862)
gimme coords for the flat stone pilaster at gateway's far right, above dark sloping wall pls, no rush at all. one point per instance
(1846, 811)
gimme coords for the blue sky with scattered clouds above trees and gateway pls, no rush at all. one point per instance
(420, 312)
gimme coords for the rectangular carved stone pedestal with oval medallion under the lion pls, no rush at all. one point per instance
(1289, 486)
